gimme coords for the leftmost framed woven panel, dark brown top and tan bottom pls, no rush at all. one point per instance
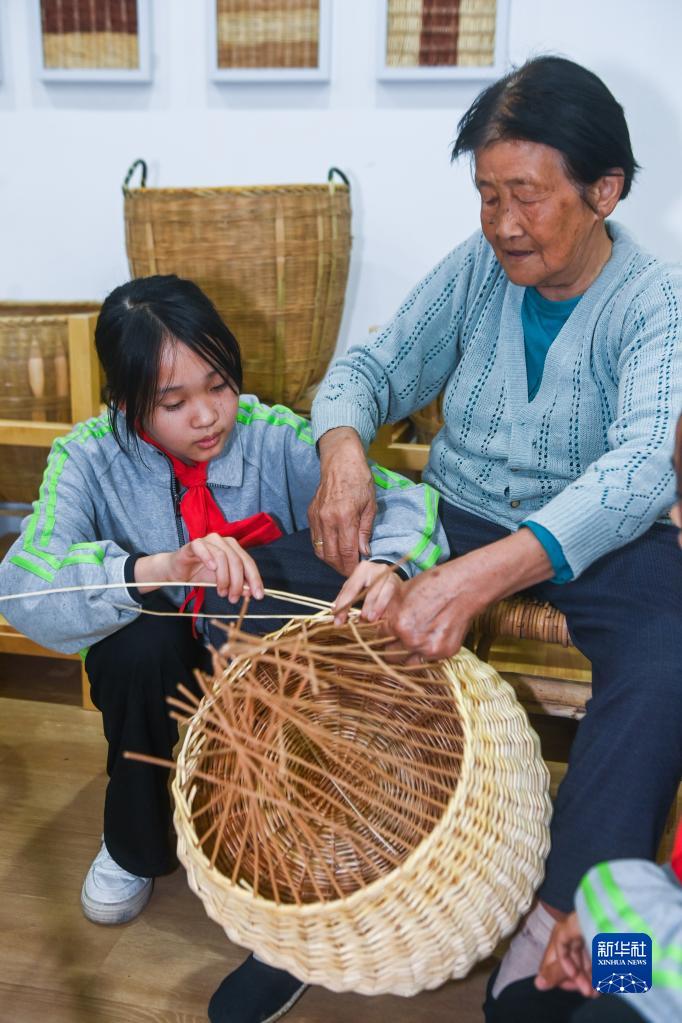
(95, 40)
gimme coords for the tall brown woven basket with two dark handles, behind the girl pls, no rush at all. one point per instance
(275, 260)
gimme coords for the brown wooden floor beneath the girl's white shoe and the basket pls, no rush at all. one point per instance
(59, 968)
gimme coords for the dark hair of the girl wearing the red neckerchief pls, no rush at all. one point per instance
(137, 322)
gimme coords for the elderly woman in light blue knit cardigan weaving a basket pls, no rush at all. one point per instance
(556, 340)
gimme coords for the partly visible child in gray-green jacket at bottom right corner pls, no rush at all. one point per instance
(621, 897)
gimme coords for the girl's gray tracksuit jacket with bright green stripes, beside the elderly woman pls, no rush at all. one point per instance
(100, 505)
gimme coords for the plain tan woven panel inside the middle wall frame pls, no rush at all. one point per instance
(268, 33)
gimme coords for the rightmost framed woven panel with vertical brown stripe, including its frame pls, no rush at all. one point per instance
(427, 40)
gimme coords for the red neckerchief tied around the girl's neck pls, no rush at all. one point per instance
(202, 516)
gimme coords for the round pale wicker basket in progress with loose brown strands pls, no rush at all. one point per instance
(365, 826)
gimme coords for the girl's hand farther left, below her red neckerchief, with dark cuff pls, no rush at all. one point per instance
(214, 559)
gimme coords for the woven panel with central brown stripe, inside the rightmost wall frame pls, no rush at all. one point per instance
(441, 33)
